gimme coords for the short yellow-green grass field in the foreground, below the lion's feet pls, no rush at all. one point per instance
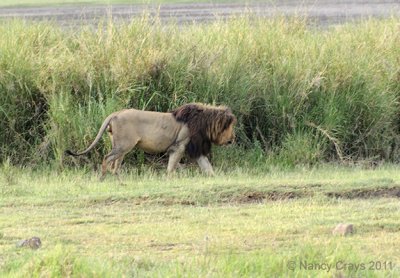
(234, 225)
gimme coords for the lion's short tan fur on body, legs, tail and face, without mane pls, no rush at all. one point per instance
(155, 132)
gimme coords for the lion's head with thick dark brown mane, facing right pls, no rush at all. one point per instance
(207, 124)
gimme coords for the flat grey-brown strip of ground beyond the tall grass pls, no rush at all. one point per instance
(325, 12)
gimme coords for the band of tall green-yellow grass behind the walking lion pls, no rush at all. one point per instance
(301, 95)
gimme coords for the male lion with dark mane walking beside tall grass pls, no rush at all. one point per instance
(191, 128)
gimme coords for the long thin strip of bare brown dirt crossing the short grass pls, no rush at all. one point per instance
(244, 196)
